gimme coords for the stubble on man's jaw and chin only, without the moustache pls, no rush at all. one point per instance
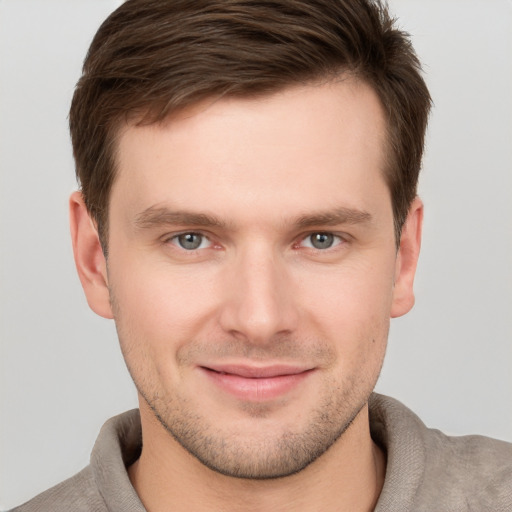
(267, 455)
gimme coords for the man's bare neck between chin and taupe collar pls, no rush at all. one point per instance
(349, 476)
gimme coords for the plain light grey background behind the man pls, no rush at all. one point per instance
(61, 370)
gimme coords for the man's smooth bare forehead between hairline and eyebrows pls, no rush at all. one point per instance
(304, 144)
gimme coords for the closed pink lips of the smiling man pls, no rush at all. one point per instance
(253, 383)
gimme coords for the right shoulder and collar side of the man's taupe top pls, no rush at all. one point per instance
(428, 470)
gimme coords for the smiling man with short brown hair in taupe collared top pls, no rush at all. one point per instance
(248, 216)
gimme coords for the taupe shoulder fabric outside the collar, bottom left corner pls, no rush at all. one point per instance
(78, 493)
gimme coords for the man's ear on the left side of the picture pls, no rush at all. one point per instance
(89, 259)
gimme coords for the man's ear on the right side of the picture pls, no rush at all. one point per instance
(406, 260)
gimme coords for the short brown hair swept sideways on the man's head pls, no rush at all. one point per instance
(152, 57)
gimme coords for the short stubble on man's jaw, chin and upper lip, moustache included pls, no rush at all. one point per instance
(270, 455)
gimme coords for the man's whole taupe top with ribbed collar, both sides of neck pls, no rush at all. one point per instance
(426, 470)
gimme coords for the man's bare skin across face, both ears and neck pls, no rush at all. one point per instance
(256, 181)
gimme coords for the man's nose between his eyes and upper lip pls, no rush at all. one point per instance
(259, 303)
